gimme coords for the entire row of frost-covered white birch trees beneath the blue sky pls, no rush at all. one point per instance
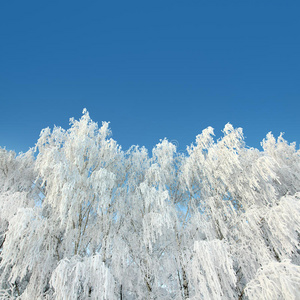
(82, 219)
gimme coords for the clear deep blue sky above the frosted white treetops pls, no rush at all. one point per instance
(154, 69)
